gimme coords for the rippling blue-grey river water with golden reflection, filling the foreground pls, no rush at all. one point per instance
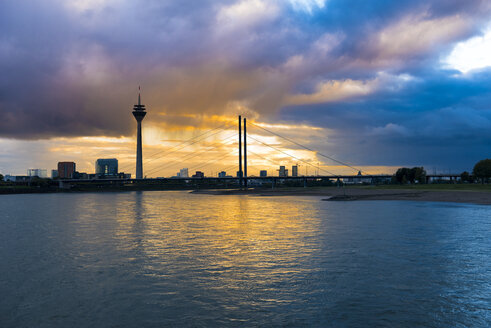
(158, 259)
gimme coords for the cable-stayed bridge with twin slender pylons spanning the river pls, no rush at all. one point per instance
(242, 180)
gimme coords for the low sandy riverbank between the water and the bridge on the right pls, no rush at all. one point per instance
(351, 194)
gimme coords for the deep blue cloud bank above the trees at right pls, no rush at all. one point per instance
(440, 118)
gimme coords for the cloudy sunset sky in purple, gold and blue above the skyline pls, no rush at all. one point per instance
(376, 84)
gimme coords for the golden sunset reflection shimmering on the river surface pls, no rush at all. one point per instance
(218, 234)
